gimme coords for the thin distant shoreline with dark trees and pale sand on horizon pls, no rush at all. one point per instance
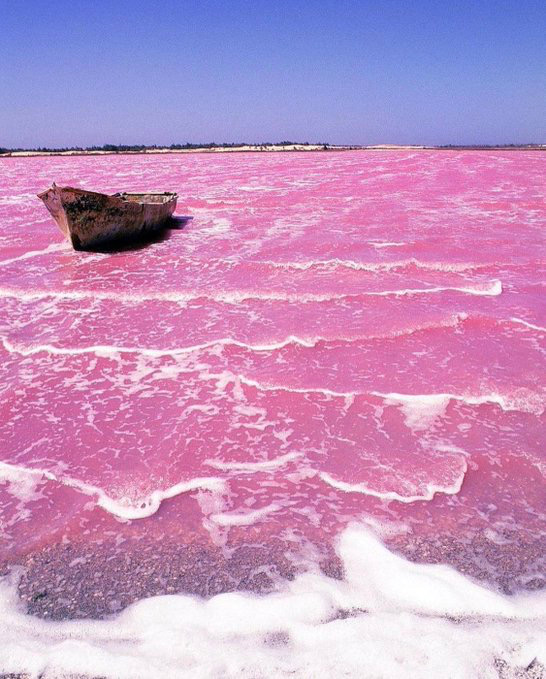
(255, 148)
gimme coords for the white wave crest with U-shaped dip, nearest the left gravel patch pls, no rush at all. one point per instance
(122, 507)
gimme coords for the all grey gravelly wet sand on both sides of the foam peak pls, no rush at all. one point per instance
(94, 580)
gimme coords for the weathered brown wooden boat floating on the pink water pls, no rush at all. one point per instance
(90, 220)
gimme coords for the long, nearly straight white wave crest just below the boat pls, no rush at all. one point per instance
(491, 288)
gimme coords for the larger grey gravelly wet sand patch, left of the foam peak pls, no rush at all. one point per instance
(79, 580)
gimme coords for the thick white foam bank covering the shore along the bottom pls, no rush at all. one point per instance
(396, 627)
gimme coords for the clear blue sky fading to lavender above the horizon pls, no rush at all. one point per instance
(82, 72)
